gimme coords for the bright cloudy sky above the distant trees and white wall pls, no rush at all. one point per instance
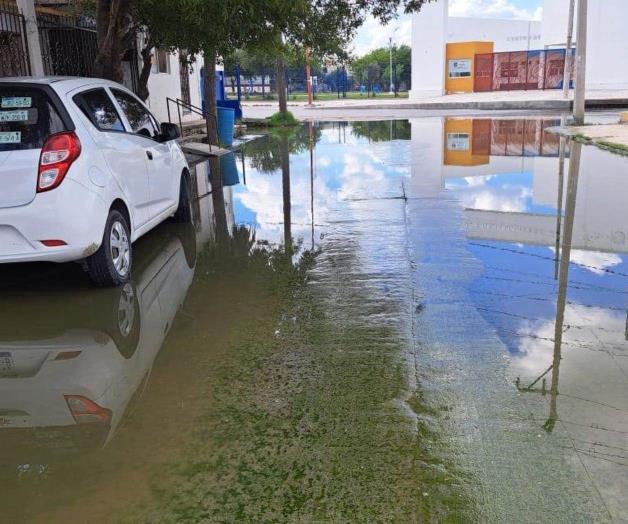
(373, 35)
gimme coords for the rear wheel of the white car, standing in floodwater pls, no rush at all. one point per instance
(111, 264)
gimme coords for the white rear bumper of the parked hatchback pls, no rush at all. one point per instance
(71, 213)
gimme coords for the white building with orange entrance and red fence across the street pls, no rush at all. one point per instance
(445, 49)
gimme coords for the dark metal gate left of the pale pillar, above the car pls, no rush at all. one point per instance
(14, 59)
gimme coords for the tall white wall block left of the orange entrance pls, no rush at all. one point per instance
(429, 33)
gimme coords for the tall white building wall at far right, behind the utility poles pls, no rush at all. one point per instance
(607, 39)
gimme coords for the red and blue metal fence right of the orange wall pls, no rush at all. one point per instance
(521, 70)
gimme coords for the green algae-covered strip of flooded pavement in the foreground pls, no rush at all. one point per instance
(304, 424)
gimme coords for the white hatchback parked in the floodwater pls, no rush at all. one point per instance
(85, 170)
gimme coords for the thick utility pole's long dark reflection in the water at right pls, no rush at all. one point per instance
(563, 278)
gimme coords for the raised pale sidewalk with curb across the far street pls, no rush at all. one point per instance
(550, 100)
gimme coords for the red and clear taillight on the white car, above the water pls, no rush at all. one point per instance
(57, 155)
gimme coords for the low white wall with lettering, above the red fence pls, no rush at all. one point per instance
(507, 35)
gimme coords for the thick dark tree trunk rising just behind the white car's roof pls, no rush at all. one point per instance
(112, 26)
